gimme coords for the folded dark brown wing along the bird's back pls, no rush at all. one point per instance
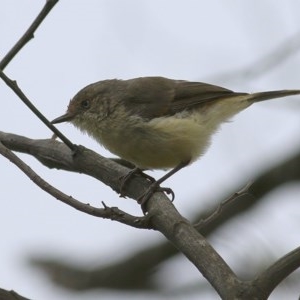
(151, 97)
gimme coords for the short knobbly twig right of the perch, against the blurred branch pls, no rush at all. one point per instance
(227, 202)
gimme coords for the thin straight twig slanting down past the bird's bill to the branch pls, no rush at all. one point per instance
(14, 86)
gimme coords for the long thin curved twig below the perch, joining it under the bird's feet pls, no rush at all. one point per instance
(112, 213)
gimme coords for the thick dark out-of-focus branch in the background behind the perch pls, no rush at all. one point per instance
(150, 258)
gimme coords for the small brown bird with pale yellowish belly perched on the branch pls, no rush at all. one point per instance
(155, 122)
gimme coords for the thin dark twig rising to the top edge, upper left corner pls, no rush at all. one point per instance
(29, 34)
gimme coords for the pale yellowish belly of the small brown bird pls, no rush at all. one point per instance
(159, 144)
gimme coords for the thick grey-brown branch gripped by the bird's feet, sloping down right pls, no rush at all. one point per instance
(162, 213)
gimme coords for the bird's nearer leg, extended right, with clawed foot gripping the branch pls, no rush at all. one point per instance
(155, 186)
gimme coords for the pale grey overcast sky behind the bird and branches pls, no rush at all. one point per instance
(81, 42)
